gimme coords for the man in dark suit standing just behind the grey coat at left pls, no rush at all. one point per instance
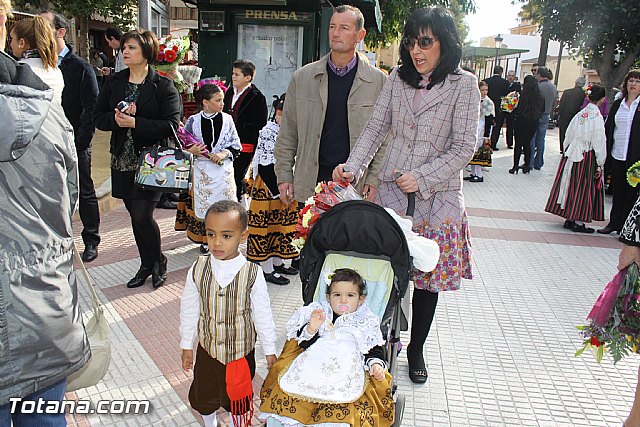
(78, 99)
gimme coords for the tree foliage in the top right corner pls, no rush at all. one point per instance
(603, 32)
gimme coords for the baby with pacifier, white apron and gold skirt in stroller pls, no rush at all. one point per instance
(320, 378)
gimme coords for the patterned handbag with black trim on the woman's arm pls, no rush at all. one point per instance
(165, 169)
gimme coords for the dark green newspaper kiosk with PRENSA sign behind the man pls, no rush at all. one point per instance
(279, 36)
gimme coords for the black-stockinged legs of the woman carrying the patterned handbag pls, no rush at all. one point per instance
(145, 230)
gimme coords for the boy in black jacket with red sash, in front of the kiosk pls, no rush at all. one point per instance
(248, 107)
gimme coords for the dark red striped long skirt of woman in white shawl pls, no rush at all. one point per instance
(585, 195)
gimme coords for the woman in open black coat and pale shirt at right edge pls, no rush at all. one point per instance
(623, 150)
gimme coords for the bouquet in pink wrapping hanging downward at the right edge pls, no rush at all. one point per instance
(614, 321)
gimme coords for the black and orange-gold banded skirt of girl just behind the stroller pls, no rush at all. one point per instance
(271, 226)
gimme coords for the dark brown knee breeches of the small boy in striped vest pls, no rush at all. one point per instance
(208, 391)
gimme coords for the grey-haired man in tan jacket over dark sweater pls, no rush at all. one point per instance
(328, 104)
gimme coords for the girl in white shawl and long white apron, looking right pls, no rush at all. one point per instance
(212, 177)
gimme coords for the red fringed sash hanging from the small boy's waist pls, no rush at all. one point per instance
(240, 391)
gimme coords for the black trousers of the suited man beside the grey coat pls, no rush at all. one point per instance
(87, 200)
